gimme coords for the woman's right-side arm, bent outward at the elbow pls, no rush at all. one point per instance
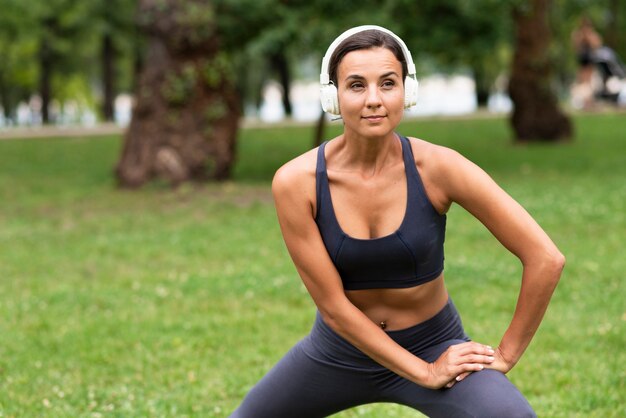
(466, 184)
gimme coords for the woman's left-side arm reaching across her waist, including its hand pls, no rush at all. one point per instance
(294, 193)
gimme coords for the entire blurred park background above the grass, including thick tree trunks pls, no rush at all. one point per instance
(180, 77)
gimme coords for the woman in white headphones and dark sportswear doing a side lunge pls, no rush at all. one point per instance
(363, 218)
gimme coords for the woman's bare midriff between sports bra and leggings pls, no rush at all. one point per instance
(395, 309)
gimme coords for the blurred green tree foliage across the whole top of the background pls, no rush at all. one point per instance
(472, 36)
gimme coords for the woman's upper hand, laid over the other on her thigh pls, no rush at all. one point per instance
(457, 362)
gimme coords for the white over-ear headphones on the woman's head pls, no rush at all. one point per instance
(328, 91)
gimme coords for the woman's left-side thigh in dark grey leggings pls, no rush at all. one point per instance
(298, 386)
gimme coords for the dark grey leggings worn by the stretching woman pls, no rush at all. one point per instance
(324, 374)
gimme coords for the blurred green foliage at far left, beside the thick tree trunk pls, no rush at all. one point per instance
(69, 33)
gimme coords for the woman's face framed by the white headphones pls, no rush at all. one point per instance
(371, 91)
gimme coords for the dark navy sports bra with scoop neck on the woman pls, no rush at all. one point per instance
(410, 256)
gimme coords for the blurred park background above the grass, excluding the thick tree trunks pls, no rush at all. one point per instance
(78, 62)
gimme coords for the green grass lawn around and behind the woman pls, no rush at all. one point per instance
(162, 303)
